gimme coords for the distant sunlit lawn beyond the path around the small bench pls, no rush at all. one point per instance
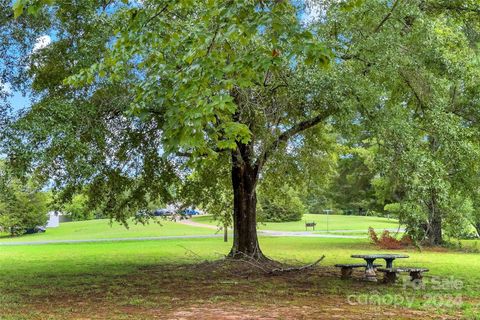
(335, 222)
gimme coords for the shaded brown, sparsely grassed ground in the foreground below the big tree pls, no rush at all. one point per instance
(218, 290)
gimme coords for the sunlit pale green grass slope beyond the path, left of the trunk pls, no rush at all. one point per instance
(102, 229)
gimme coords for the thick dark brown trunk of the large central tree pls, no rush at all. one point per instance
(244, 181)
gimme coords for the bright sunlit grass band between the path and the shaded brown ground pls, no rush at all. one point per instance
(20, 261)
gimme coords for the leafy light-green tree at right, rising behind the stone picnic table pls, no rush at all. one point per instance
(414, 72)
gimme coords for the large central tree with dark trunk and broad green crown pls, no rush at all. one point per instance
(172, 83)
